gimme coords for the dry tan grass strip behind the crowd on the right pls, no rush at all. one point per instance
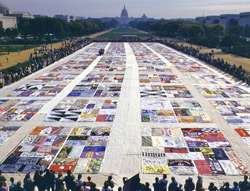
(232, 59)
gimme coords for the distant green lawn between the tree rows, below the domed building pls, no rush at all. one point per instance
(116, 33)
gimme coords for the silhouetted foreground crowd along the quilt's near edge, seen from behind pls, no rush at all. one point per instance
(49, 181)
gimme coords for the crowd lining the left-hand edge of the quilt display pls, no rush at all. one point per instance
(36, 62)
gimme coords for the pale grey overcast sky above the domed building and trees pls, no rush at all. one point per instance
(136, 8)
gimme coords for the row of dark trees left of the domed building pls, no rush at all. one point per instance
(46, 26)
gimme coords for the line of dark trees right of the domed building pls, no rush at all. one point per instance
(234, 40)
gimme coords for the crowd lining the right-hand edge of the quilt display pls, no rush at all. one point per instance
(237, 72)
